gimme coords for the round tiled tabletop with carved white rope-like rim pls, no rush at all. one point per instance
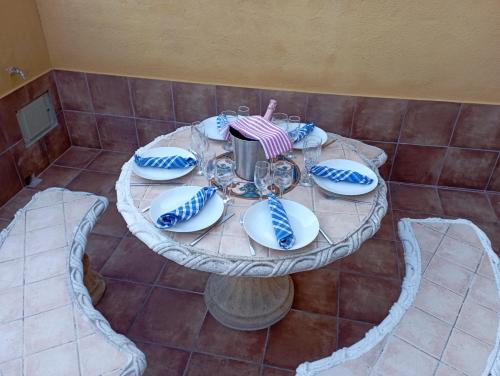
(348, 221)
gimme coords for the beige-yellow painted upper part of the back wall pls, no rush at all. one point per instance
(447, 49)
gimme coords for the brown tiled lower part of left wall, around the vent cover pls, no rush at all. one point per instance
(18, 162)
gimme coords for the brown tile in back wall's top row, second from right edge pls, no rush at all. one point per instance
(429, 123)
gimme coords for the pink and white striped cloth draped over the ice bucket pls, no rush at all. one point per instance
(273, 139)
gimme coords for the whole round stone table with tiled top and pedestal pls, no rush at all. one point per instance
(253, 292)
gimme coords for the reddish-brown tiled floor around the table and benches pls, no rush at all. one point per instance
(160, 305)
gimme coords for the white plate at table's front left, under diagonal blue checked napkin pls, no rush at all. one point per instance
(176, 197)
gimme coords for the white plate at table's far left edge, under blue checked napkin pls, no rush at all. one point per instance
(155, 173)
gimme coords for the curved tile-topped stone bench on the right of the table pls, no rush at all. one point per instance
(446, 320)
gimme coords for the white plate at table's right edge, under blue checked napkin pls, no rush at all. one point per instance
(347, 189)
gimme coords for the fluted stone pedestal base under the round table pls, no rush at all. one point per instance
(246, 303)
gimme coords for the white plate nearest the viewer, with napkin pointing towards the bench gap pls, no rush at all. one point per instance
(258, 224)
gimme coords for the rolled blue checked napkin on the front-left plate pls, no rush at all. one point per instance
(188, 210)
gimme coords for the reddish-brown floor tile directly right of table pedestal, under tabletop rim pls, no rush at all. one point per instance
(316, 291)
